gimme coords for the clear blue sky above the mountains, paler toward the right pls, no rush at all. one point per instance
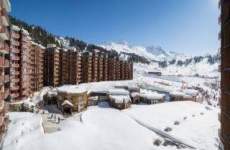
(186, 26)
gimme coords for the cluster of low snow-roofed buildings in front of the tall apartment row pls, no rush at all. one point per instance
(77, 98)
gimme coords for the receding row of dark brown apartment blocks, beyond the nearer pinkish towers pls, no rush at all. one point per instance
(71, 66)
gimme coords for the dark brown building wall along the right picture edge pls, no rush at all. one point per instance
(225, 74)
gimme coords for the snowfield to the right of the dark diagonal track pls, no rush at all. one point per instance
(199, 130)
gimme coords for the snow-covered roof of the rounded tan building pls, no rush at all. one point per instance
(71, 89)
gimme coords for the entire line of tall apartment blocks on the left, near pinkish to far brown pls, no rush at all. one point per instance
(26, 66)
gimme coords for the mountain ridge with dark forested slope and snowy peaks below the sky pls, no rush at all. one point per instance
(124, 50)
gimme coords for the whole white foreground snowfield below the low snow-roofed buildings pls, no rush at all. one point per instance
(102, 127)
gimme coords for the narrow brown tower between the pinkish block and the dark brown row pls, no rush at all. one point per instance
(37, 64)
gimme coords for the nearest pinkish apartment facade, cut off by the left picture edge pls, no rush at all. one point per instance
(4, 61)
